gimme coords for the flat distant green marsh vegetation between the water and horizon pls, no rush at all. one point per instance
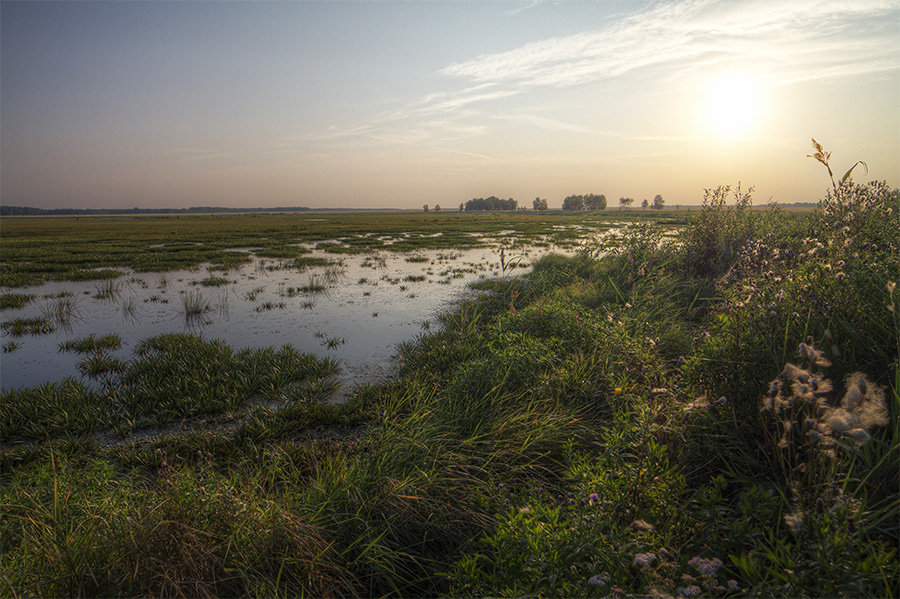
(69, 249)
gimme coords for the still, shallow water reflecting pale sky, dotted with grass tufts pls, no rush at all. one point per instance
(369, 304)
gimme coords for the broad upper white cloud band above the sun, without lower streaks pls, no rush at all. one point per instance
(796, 34)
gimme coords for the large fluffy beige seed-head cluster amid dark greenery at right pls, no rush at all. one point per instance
(862, 407)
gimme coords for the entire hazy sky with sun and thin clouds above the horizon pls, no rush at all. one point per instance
(157, 104)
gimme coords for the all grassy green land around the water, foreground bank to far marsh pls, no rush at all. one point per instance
(697, 404)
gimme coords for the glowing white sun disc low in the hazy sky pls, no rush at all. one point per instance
(733, 104)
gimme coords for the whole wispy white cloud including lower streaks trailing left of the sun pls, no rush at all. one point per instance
(792, 41)
